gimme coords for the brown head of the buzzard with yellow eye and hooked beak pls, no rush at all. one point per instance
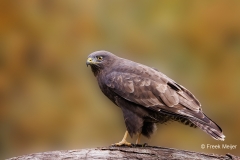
(99, 60)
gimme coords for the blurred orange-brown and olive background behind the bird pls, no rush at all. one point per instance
(50, 100)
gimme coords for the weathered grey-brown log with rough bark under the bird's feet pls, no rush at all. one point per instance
(112, 152)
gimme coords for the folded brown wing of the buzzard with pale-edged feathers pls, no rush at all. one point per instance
(149, 88)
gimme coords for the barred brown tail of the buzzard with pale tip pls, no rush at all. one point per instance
(210, 127)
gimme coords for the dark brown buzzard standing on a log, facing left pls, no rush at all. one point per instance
(147, 96)
